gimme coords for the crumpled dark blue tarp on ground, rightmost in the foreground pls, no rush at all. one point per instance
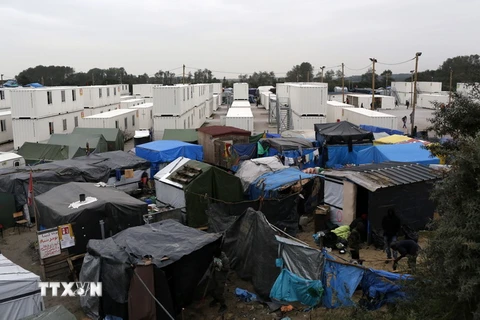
(382, 287)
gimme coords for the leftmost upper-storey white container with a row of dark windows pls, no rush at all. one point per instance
(45, 102)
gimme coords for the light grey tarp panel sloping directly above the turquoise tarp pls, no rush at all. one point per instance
(300, 259)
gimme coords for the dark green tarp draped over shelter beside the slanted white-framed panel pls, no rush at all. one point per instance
(213, 183)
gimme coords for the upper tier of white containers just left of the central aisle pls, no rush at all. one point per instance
(179, 99)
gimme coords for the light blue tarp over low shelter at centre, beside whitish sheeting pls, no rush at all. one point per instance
(272, 181)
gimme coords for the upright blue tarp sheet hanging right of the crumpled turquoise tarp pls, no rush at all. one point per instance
(340, 282)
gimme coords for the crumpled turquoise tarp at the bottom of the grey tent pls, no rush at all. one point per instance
(290, 288)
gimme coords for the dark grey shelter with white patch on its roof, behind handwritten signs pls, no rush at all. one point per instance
(61, 205)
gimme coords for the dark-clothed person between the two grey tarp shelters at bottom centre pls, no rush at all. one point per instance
(221, 266)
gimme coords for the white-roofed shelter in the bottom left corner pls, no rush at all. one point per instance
(19, 291)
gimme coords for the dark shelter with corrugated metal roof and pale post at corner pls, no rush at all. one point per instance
(373, 189)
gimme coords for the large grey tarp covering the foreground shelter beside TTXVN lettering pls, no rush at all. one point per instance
(189, 253)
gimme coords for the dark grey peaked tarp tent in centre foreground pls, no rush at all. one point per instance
(252, 248)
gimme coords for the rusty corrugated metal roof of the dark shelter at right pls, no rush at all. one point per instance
(385, 175)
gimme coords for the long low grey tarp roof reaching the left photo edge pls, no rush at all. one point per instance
(48, 176)
